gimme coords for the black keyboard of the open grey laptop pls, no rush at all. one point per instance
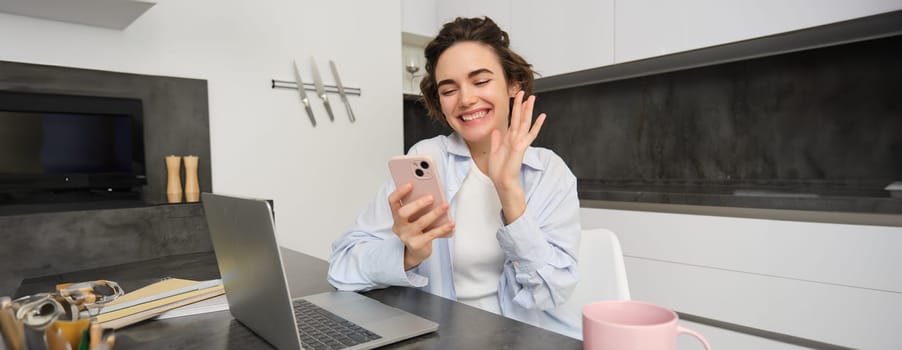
(321, 329)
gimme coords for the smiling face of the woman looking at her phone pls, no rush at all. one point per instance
(473, 92)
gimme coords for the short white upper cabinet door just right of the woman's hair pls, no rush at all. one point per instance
(566, 37)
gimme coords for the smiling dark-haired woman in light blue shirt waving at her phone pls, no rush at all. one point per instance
(514, 207)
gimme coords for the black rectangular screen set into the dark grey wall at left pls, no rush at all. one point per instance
(51, 142)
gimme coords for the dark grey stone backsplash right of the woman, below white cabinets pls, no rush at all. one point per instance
(825, 115)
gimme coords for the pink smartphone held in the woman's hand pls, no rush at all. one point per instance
(420, 171)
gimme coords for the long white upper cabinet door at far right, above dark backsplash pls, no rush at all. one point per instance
(648, 28)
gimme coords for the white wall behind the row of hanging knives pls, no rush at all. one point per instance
(262, 142)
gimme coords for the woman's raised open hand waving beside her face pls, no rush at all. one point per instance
(506, 155)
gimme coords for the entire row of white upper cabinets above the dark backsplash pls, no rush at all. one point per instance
(574, 35)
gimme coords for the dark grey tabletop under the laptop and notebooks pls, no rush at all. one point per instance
(461, 326)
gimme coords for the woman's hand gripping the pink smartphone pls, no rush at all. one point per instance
(417, 242)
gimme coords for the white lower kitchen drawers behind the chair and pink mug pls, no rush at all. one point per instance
(833, 283)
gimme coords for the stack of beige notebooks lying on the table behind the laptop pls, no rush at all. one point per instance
(155, 299)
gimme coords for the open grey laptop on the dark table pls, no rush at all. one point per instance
(250, 263)
